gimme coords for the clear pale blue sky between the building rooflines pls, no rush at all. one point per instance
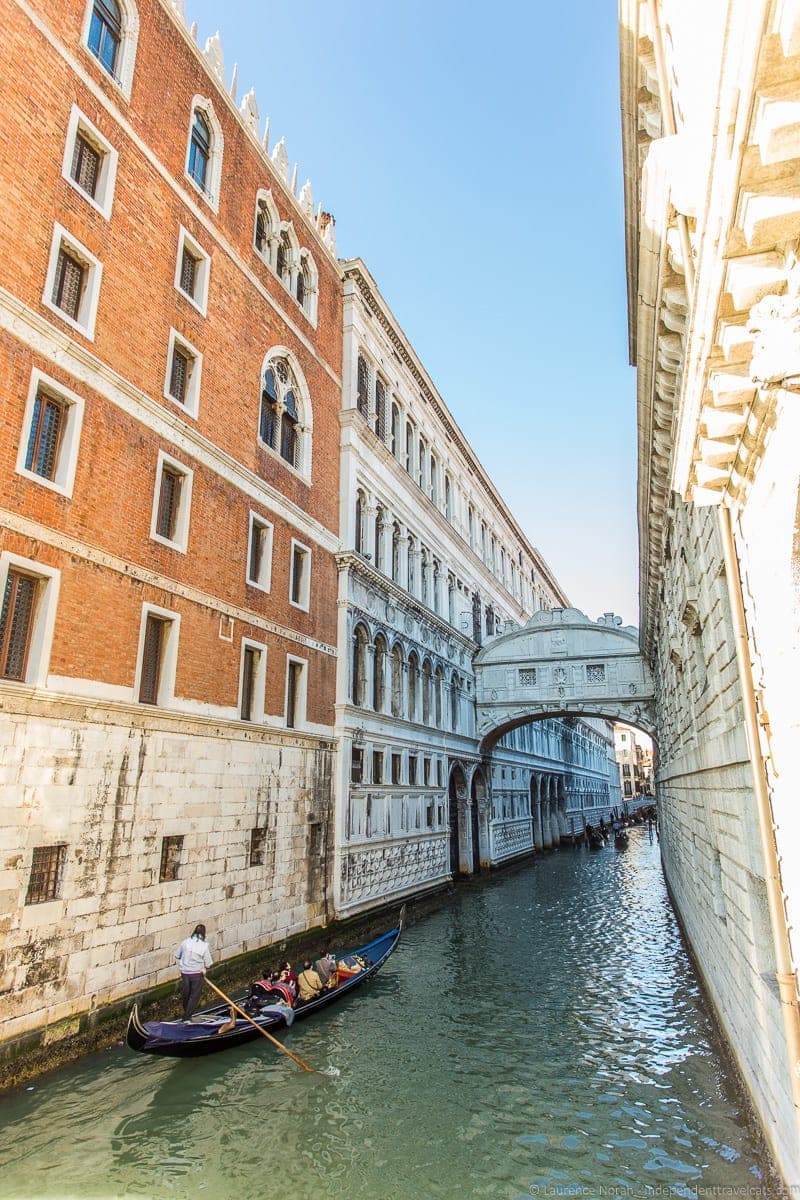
(472, 158)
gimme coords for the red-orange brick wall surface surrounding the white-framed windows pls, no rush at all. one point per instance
(98, 622)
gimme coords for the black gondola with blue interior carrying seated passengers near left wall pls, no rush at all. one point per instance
(210, 1030)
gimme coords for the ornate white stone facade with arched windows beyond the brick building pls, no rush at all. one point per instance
(432, 567)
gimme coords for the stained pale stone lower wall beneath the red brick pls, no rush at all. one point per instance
(111, 787)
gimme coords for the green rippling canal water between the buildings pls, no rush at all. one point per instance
(543, 1035)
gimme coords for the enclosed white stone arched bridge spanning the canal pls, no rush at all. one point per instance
(563, 664)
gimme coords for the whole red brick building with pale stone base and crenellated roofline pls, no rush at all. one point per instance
(171, 345)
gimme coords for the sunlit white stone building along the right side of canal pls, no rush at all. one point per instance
(712, 147)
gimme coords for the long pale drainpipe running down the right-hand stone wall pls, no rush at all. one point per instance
(785, 973)
